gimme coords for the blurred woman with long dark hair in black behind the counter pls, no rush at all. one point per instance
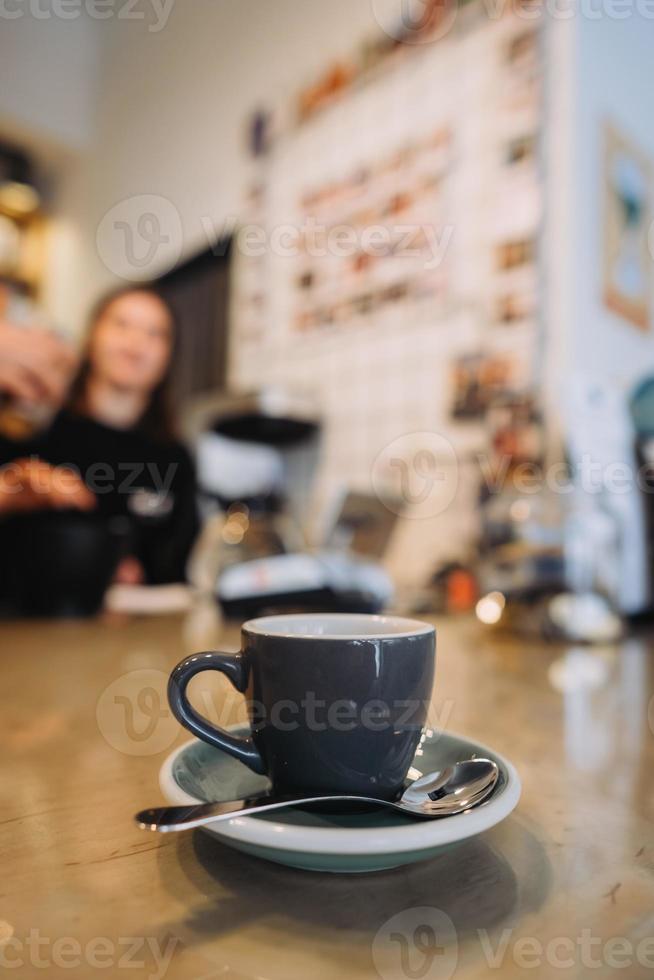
(116, 431)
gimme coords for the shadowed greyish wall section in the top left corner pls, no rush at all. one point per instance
(50, 69)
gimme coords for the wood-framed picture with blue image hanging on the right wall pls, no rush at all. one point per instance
(628, 212)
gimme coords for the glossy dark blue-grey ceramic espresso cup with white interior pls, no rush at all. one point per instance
(337, 703)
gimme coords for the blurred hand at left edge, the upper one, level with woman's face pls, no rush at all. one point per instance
(35, 365)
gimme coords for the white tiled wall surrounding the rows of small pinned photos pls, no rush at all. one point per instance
(378, 380)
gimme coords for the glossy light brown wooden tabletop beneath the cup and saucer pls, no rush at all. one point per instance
(564, 887)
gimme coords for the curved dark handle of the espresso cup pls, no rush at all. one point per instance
(236, 669)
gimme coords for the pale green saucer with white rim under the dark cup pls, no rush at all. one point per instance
(317, 841)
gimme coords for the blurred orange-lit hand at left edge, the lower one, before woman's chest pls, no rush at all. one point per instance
(31, 484)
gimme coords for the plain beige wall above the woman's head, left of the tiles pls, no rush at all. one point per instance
(171, 119)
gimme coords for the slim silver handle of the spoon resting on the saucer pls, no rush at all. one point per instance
(165, 819)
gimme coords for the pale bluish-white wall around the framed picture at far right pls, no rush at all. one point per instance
(613, 81)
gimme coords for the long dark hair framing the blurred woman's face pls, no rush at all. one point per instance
(158, 419)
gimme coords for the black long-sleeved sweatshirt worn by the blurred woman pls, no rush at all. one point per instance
(151, 483)
